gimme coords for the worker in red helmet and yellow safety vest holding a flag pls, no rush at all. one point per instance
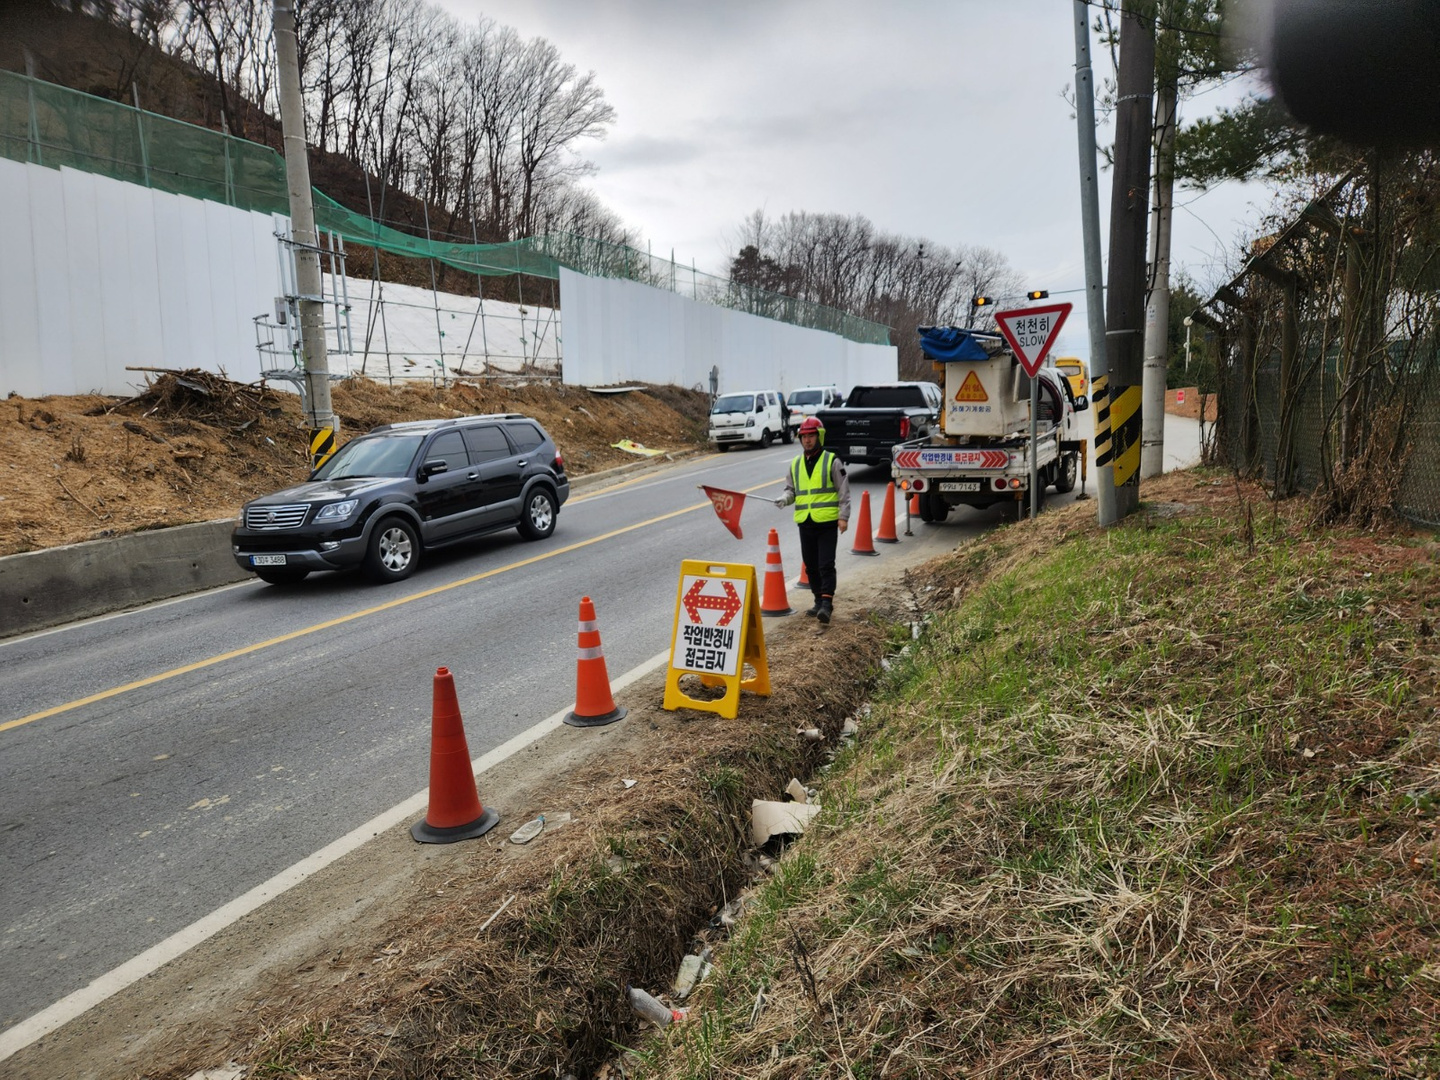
(819, 487)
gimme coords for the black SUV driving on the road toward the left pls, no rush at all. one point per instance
(404, 489)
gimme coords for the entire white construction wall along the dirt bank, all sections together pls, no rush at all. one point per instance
(100, 277)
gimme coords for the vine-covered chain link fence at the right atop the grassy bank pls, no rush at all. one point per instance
(1330, 358)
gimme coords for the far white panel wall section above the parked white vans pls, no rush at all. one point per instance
(620, 332)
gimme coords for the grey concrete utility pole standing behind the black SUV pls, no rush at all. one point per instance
(323, 424)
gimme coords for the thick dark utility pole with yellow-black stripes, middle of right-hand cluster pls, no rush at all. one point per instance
(1125, 296)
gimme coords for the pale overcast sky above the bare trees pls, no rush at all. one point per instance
(941, 120)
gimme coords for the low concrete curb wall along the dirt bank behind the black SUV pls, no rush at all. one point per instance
(58, 585)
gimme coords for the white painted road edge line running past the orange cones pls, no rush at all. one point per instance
(152, 960)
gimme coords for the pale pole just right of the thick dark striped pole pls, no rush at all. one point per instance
(1157, 313)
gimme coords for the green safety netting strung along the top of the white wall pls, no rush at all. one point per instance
(58, 127)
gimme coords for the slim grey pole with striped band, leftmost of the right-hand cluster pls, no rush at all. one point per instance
(1091, 230)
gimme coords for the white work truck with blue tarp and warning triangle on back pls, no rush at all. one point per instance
(980, 456)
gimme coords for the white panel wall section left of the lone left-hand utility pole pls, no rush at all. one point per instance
(99, 276)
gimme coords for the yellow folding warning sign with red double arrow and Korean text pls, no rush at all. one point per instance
(718, 633)
